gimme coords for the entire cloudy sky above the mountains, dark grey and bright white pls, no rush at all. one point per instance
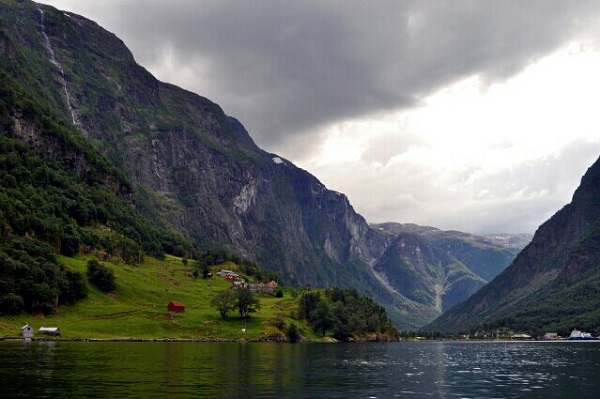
(478, 116)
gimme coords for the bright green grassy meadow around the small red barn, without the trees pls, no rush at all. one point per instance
(137, 309)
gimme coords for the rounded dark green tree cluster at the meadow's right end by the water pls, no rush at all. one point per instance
(344, 313)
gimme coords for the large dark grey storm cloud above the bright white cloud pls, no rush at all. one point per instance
(285, 68)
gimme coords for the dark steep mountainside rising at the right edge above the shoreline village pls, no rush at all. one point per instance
(553, 284)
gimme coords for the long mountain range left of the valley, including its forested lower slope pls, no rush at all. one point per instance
(157, 169)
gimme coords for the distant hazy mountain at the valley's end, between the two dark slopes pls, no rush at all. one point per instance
(437, 268)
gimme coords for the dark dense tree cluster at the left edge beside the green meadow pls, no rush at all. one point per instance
(32, 280)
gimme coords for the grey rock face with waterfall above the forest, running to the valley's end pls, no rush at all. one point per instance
(198, 171)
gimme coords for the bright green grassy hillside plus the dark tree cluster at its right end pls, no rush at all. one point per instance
(137, 308)
